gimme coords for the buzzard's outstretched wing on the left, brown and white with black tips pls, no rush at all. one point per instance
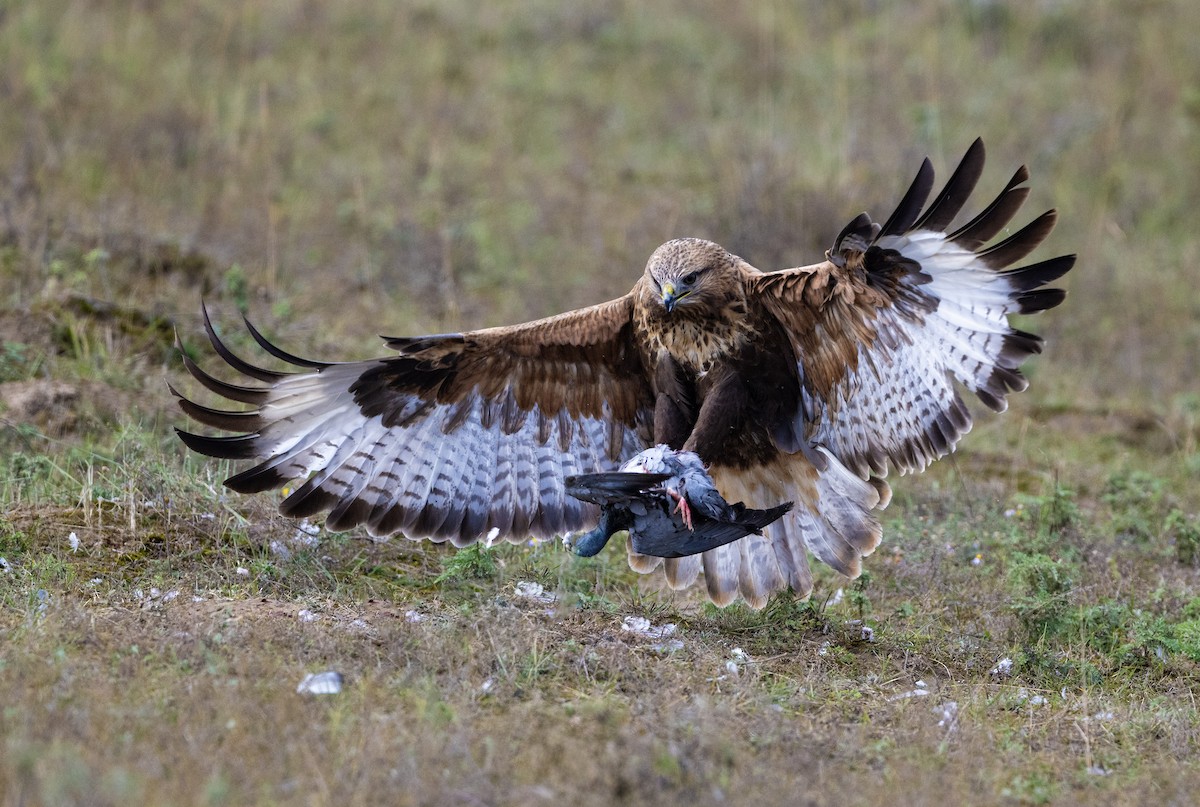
(457, 437)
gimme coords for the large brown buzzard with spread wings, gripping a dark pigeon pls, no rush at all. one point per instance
(805, 386)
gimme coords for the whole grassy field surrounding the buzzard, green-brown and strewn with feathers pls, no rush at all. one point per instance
(1030, 631)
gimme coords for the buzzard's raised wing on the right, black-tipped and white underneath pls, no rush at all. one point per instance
(896, 314)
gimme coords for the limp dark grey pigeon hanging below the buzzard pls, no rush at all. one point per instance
(669, 504)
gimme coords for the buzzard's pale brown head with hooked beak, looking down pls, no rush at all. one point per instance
(688, 272)
